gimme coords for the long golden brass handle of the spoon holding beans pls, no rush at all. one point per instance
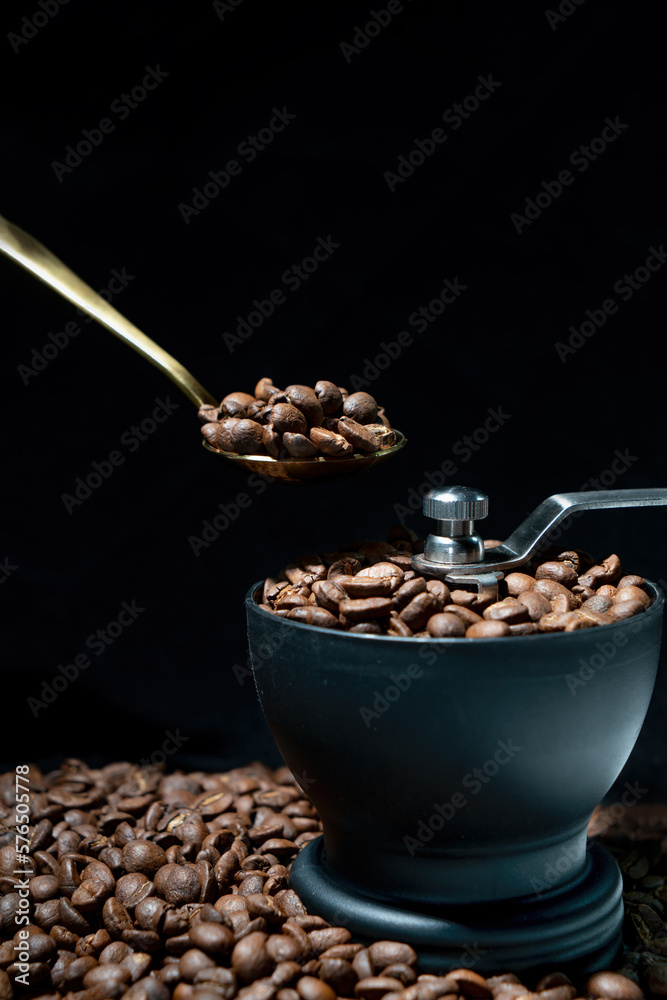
(34, 257)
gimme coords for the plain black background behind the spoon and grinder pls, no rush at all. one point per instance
(324, 175)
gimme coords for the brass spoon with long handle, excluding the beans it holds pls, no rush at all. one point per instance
(34, 257)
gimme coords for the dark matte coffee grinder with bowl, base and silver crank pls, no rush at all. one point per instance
(455, 778)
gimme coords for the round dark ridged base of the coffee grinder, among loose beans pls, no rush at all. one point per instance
(575, 927)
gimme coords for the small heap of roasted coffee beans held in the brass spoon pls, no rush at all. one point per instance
(297, 422)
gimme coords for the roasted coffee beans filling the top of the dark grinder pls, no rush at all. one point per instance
(371, 588)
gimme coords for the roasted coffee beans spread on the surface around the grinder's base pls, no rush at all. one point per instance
(151, 886)
